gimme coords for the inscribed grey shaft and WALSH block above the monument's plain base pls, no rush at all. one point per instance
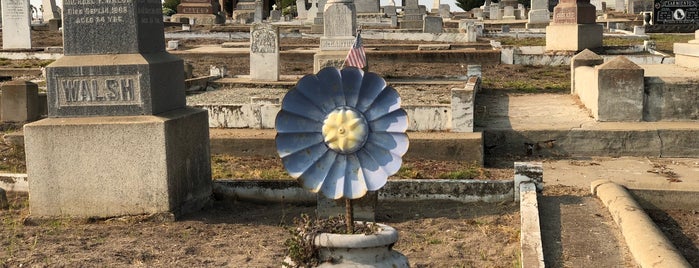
(115, 62)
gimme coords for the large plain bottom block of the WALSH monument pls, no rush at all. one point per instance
(119, 165)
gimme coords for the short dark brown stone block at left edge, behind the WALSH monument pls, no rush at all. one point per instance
(20, 101)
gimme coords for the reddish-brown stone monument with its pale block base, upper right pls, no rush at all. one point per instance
(574, 27)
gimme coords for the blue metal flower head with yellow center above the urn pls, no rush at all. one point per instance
(342, 132)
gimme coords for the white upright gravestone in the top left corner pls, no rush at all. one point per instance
(16, 19)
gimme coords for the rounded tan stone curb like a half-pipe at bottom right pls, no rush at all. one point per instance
(648, 245)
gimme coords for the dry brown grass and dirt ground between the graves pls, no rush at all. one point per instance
(432, 233)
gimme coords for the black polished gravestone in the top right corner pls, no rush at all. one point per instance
(675, 17)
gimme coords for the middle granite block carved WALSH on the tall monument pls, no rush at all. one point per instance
(122, 84)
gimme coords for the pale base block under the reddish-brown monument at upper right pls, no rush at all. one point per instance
(573, 37)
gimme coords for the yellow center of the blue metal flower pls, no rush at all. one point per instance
(345, 130)
